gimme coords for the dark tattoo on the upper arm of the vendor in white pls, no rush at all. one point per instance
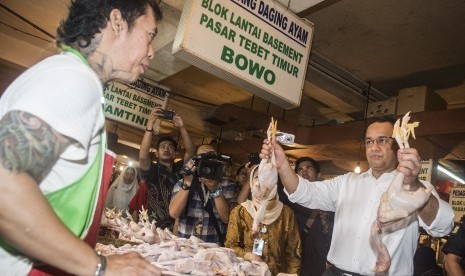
(28, 144)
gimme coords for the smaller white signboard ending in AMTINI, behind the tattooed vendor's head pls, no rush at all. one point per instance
(131, 104)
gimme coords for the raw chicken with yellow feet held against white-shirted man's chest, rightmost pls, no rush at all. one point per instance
(397, 205)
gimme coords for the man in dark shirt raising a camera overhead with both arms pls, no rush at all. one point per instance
(159, 179)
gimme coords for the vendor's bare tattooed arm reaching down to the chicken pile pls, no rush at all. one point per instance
(29, 148)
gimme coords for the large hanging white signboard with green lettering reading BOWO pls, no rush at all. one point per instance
(258, 45)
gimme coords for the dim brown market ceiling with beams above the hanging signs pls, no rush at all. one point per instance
(357, 44)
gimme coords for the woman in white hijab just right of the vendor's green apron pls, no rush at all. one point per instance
(122, 190)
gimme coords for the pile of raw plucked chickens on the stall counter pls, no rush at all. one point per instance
(176, 256)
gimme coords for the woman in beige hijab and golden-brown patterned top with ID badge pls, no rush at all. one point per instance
(265, 230)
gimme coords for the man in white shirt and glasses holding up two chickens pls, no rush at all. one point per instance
(355, 199)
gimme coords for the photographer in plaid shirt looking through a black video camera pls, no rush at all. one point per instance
(202, 204)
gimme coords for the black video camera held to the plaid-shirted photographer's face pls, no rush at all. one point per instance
(208, 166)
